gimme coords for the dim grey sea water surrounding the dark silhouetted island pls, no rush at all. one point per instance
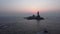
(19, 25)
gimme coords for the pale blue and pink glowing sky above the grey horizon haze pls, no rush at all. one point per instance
(24, 6)
